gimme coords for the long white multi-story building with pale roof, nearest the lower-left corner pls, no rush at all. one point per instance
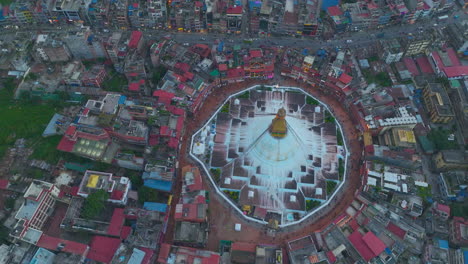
(39, 201)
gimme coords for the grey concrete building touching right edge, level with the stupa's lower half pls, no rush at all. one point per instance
(450, 160)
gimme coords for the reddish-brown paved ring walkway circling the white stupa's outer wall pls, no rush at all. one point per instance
(222, 217)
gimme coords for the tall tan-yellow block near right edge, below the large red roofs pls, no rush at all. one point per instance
(437, 103)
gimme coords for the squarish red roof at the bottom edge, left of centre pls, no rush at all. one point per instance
(102, 248)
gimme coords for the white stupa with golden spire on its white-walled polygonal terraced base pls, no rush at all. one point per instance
(275, 154)
